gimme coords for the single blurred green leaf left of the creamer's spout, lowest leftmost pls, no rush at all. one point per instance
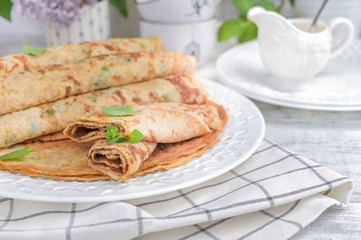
(231, 28)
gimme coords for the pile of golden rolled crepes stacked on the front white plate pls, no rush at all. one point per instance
(67, 87)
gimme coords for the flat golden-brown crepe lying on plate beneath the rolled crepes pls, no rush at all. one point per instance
(64, 159)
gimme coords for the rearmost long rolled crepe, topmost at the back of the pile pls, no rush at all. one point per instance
(75, 52)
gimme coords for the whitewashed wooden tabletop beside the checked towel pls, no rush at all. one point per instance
(329, 138)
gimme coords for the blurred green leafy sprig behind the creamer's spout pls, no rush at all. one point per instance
(242, 28)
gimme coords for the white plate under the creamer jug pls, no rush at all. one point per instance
(336, 88)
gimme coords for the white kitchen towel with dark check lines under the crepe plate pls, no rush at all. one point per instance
(272, 195)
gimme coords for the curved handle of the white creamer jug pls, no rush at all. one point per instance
(350, 32)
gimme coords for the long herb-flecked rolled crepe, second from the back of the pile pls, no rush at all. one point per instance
(30, 88)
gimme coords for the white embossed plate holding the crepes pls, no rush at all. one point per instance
(240, 138)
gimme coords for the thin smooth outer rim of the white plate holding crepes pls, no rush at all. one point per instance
(166, 189)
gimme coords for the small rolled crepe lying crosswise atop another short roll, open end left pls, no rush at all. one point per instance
(166, 122)
